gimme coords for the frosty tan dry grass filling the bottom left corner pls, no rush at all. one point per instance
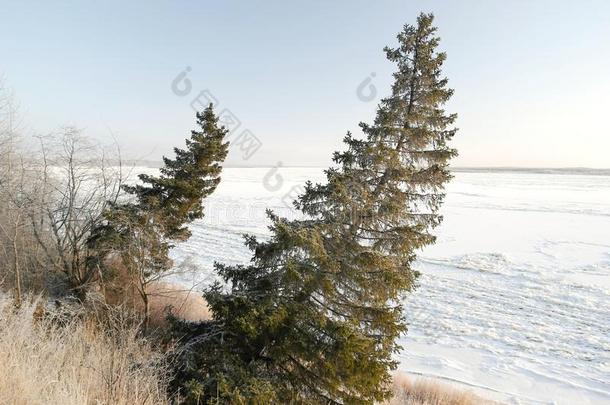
(43, 362)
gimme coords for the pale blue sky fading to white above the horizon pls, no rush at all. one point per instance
(530, 77)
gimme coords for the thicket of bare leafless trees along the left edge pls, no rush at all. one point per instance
(51, 197)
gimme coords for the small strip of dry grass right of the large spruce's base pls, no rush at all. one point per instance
(429, 392)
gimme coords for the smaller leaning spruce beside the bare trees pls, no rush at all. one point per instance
(141, 231)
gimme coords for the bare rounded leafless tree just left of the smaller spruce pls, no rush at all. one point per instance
(78, 182)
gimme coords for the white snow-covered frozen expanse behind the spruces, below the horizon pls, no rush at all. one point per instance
(514, 298)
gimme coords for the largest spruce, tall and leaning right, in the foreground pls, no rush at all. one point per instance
(316, 315)
